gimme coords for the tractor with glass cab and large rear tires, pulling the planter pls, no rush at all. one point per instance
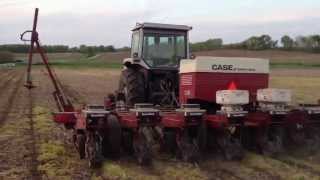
(151, 74)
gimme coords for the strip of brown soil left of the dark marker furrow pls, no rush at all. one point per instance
(17, 139)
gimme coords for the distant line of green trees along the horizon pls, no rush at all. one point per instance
(309, 43)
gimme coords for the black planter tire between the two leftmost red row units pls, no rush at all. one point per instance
(111, 143)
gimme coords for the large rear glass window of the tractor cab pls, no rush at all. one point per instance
(160, 51)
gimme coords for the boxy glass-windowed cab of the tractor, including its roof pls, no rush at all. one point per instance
(159, 46)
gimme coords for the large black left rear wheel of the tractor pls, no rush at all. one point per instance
(132, 85)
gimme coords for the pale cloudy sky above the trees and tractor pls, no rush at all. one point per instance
(108, 22)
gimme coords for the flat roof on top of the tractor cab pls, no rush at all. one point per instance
(161, 26)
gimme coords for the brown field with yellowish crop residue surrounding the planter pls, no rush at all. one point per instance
(33, 147)
